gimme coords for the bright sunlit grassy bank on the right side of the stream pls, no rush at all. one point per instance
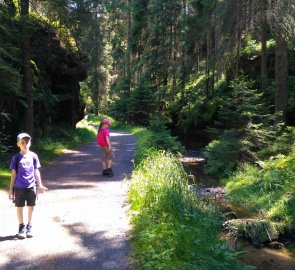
(271, 189)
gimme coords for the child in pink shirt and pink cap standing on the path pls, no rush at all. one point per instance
(103, 140)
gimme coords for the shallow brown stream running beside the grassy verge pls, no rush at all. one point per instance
(264, 258)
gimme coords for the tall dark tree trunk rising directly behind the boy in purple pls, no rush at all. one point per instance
(26, 69)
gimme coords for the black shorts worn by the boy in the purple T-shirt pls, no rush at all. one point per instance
(23, 195)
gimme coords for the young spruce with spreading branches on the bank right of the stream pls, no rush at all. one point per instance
(248, 128)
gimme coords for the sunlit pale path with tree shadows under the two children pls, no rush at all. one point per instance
(81, 221)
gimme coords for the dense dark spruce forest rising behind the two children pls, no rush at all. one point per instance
(209, 71)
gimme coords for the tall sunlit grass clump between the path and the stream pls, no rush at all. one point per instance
(172, 228)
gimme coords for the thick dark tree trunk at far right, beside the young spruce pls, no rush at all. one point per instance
(281, 77)
